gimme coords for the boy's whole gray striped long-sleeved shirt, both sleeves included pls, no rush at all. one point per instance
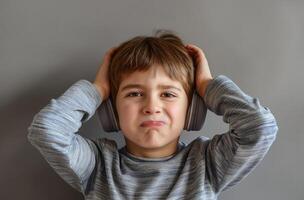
(200, 170)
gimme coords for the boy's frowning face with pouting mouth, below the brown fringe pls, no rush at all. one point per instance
(149, 101)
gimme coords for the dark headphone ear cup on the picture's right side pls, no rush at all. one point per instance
(196, 113)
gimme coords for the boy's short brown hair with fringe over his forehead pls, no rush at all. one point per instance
(141, 52)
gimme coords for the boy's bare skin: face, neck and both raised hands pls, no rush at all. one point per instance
(150, 102)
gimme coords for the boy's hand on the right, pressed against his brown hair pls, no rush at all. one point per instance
(202, 71)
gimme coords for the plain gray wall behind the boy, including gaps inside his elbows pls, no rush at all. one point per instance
(46, 46)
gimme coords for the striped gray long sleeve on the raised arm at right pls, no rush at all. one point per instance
(231, 156)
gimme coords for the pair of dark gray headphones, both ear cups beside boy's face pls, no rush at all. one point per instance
(195, 117)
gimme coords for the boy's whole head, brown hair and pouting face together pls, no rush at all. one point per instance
(151, 62)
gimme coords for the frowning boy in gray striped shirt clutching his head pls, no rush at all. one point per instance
(151, 80)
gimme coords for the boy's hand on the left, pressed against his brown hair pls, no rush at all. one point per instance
(102, 80)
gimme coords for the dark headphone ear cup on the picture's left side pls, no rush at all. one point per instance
(107, 116)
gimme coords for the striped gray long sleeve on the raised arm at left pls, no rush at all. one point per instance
(54, 128)
